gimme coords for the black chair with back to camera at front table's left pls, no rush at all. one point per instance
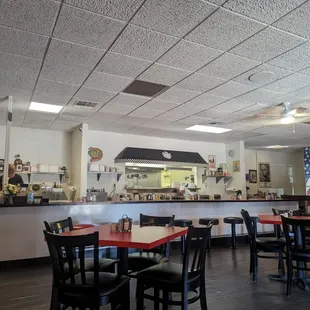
(85, 289)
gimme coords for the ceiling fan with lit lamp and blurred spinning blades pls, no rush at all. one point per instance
(281, 114)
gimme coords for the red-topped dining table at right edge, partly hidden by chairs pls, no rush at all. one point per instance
(276, 220)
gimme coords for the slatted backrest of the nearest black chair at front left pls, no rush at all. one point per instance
(75, 289)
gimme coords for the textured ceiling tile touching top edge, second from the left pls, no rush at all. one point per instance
(118, 9)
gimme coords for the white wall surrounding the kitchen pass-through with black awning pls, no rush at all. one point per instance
(113, 143)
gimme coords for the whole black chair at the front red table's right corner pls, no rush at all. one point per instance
(180, 278)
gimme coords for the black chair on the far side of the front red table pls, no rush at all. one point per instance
(143, 259)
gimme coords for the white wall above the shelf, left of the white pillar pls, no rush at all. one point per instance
(37, 146)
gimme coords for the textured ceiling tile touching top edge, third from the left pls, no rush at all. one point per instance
(173, 17)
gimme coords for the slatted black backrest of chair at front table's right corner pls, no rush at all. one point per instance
(196, 244)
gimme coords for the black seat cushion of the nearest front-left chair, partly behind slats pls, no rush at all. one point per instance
(108, 282)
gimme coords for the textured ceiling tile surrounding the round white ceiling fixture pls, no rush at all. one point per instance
(279, 74)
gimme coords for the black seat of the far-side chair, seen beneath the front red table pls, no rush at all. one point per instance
(139, 261)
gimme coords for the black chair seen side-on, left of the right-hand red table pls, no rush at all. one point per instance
(262, 245)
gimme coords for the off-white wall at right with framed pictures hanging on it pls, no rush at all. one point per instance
(279, 164)
